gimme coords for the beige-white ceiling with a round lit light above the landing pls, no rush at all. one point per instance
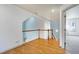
(43, 9)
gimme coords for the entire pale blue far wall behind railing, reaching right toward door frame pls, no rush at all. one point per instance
(36, 23)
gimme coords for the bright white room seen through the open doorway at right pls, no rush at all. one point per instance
(72, 30)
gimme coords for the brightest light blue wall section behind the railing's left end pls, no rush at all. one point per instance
(29, 24)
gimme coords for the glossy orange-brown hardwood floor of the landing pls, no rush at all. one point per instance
(38, 46)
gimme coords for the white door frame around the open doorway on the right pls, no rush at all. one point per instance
(63, 25)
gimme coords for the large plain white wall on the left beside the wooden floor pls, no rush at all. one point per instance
(11, 18)
